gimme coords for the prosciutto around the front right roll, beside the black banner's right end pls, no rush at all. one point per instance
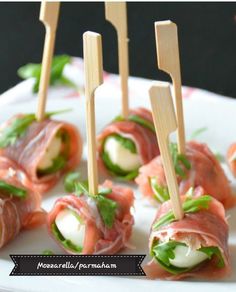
(207, 227)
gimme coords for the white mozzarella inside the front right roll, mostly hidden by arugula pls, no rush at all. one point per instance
(187, 258)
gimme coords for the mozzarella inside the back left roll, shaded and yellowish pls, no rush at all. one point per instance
(51, 153)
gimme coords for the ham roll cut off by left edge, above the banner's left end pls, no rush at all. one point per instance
(19, 205)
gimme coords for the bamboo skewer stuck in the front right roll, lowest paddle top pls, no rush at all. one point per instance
(165, 123)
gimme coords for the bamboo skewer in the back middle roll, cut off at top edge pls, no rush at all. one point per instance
(116, 14)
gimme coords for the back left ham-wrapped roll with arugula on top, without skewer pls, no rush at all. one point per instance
(44, 150)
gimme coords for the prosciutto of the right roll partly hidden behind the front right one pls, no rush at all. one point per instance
(205, 171)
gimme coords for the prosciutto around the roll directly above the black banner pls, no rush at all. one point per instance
(99, 239)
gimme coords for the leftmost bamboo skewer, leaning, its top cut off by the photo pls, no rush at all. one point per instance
(49, 16)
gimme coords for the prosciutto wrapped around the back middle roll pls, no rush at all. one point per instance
(144, 138)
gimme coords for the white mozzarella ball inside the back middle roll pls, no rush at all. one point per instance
(121, 156)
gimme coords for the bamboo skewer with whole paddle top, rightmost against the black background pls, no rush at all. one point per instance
(168, 61)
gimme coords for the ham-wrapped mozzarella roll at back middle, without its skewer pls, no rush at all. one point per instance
(125, 145)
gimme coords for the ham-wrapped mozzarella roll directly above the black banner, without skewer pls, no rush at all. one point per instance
(84, 224)
